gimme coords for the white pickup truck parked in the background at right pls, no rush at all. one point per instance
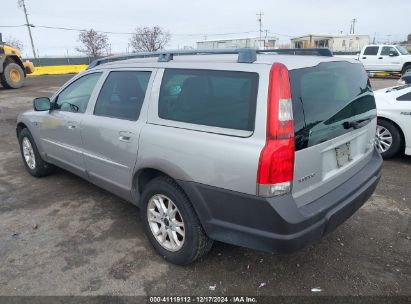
(385, 58)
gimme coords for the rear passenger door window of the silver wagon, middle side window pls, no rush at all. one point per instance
(122, 95)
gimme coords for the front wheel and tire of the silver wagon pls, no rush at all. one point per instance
(32, 160)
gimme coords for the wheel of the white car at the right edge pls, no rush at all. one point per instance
(388, 139)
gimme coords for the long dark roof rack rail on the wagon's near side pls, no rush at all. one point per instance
(245, 55)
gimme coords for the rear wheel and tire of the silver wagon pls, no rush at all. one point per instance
(190, 241)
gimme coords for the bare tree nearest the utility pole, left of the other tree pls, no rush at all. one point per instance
(93, 43)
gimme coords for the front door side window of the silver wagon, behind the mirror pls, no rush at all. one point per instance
(76, 96)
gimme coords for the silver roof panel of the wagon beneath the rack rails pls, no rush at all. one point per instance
(228, 60)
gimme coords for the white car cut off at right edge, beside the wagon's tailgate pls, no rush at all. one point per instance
(394, 120)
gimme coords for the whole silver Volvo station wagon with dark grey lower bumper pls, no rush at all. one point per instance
(270, 152)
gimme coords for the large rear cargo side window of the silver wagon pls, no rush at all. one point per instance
(224, 99)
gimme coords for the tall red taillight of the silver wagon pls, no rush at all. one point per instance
(276, 166)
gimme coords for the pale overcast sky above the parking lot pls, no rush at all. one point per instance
(189, 21)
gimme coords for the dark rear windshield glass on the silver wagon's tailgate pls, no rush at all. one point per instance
(327, 97)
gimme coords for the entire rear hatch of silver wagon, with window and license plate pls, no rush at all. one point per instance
(334, 121)
